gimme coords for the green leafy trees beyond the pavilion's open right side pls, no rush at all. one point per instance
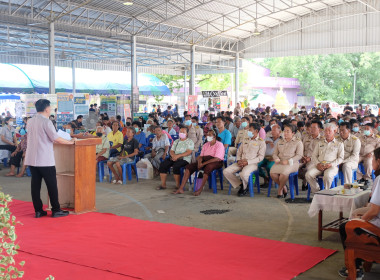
(331, 77)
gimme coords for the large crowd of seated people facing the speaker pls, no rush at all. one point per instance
(313, 143)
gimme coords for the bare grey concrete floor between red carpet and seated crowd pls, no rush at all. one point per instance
(260, 216)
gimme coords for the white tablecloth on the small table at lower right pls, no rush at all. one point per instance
(338, 203)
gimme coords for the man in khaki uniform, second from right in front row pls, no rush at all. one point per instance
(351, 151)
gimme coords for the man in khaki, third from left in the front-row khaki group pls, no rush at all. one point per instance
(309, 143)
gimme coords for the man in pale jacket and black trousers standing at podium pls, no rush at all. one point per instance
(40, 158)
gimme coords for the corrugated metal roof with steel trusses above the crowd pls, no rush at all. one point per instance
(170, 26)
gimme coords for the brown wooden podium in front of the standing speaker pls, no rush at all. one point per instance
(76, 174)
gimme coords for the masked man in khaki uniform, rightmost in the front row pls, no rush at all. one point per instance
(369, 143)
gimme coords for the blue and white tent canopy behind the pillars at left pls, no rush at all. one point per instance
(19, 78)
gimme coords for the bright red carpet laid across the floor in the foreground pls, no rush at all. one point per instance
(105, 246)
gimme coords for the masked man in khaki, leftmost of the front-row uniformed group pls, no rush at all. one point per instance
(249, 154)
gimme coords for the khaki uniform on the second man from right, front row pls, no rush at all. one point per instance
(351, 156)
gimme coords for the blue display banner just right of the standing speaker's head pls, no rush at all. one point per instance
(65, 108)
